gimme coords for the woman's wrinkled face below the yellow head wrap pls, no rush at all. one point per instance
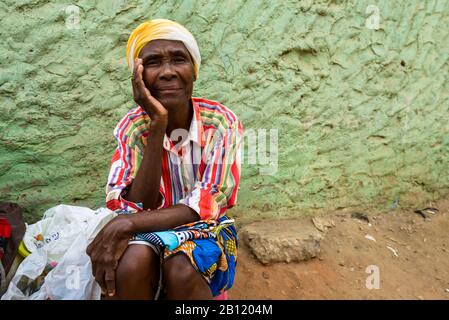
(168, 72)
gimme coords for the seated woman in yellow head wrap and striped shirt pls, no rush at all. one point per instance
(177, 162)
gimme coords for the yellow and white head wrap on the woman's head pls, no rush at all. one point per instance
(161, 29)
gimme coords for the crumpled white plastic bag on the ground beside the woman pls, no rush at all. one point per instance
(58, 246)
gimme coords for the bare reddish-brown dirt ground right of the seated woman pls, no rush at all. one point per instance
(419, 271)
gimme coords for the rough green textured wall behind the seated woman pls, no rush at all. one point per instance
(361, 114)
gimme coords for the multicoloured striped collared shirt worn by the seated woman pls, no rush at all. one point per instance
(201, 171)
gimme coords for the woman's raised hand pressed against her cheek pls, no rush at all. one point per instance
(142, 96)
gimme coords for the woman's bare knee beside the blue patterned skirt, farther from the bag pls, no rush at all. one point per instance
(182, 281)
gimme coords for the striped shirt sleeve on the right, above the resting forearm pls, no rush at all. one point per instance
(216, 190)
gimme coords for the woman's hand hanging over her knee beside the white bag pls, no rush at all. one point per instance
(106, 250)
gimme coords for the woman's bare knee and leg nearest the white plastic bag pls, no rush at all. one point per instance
(137, 275)
